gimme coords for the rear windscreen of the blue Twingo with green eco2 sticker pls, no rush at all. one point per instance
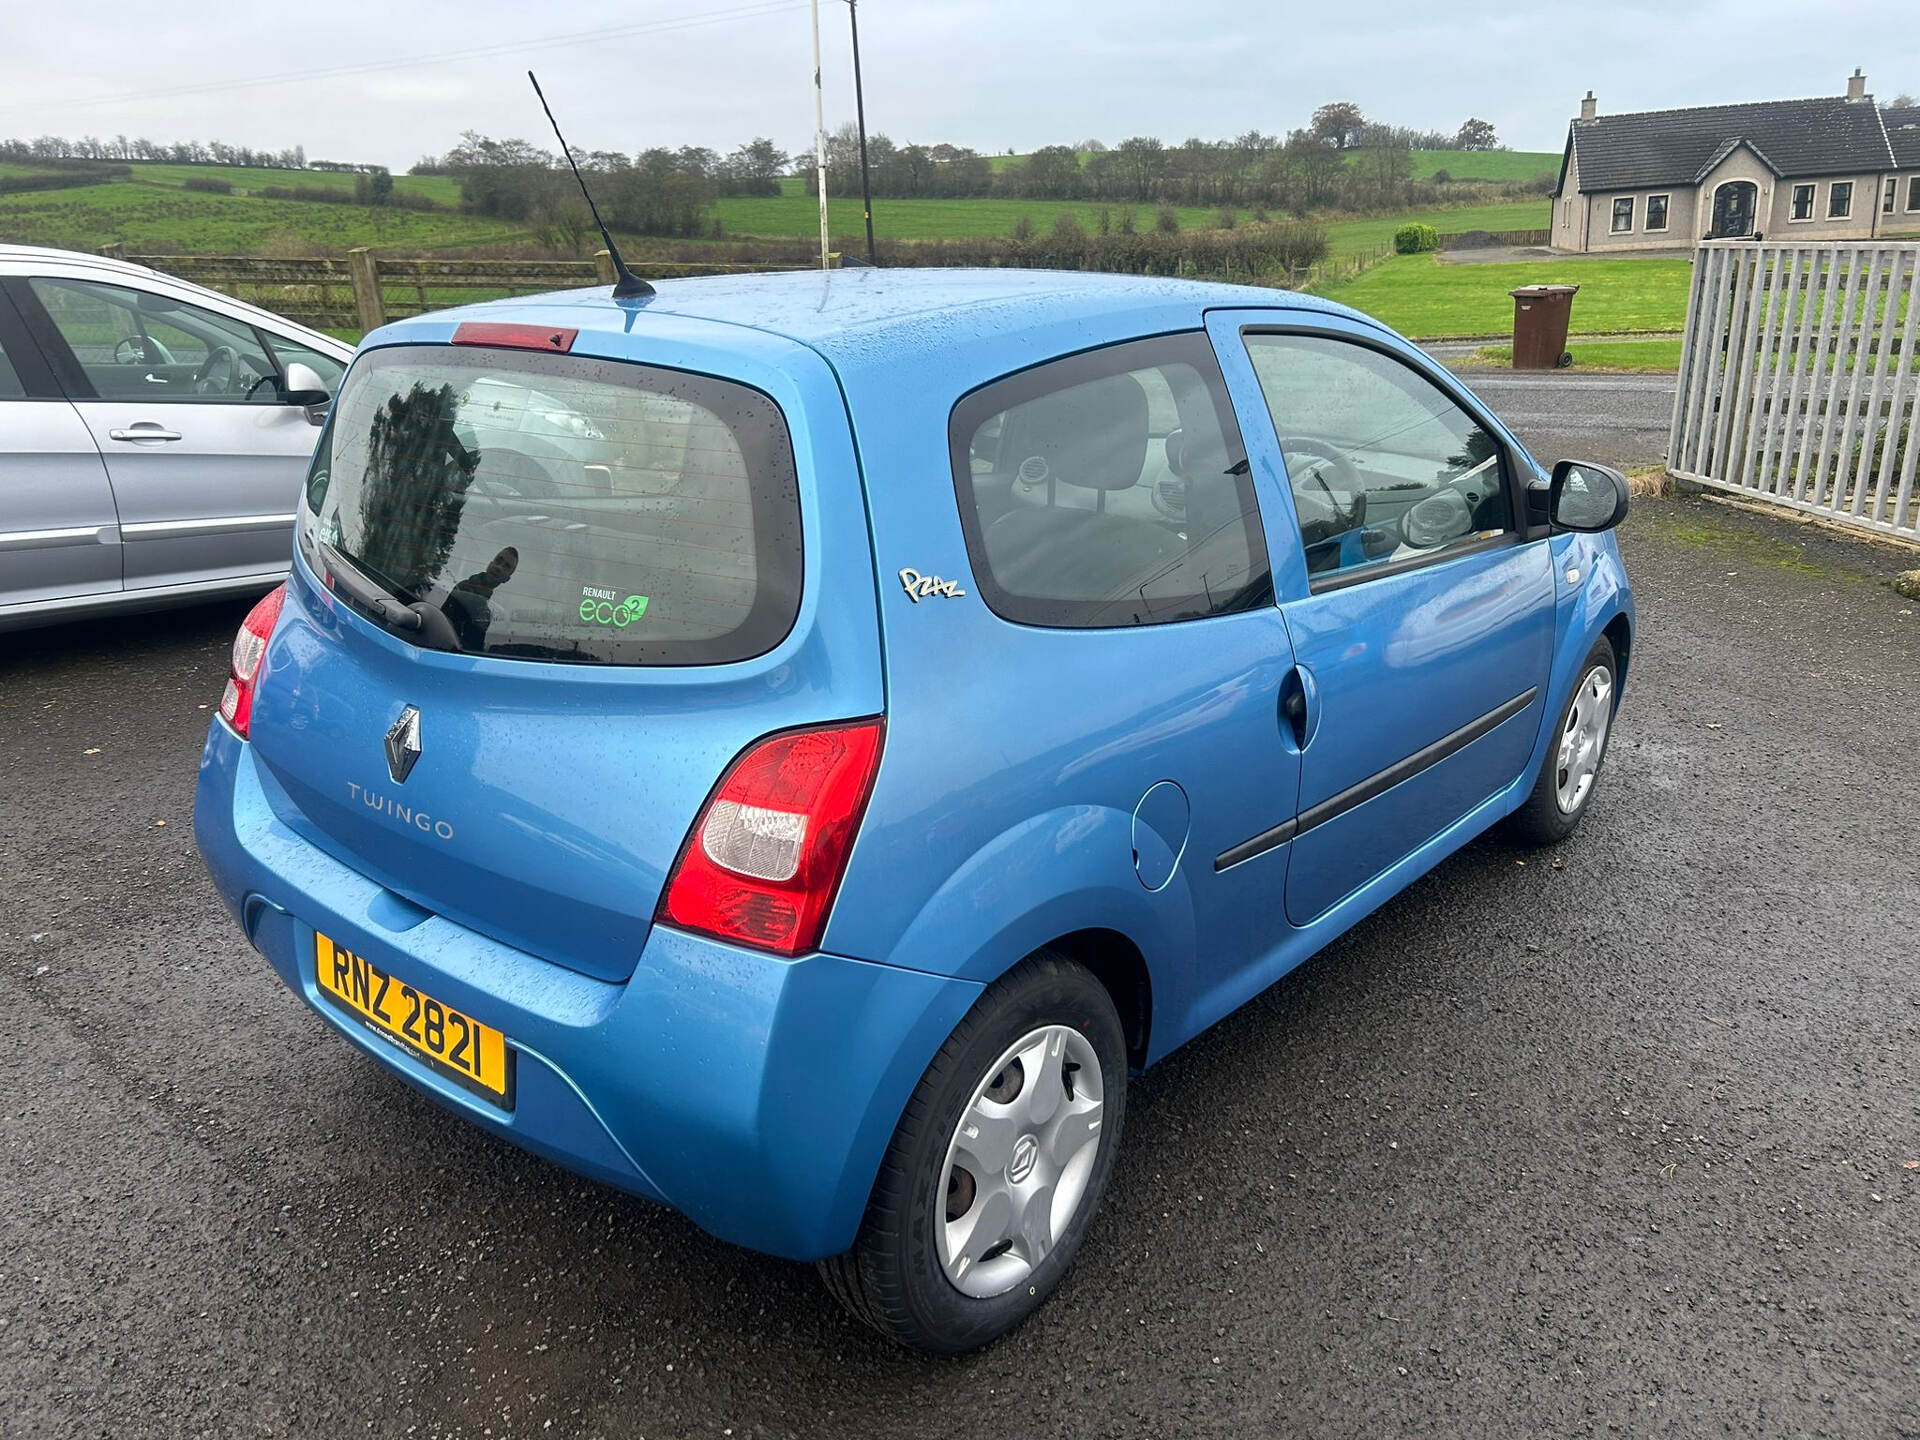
(562, 508)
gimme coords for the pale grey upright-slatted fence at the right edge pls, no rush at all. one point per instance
(1800, 383)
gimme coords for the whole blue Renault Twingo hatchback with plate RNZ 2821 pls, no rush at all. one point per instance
(792, 746)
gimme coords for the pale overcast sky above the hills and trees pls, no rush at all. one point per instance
(990, 74)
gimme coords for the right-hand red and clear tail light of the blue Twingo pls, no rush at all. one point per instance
(767, 855)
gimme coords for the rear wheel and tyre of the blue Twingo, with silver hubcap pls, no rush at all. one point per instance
(1036, 1074)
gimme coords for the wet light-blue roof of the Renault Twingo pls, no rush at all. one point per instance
(869, 318)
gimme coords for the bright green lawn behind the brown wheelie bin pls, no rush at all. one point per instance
(1424, 299)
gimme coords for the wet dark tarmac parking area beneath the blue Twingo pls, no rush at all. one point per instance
(1612, 1140)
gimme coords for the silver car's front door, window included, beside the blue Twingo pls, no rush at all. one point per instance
(185, 406)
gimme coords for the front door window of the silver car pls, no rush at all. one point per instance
(135, 345)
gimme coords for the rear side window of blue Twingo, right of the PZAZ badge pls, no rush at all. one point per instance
(1111, 491)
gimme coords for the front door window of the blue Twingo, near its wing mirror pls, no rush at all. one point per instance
(1383, 464)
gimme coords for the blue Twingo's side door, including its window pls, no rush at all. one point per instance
(1422, 613)
